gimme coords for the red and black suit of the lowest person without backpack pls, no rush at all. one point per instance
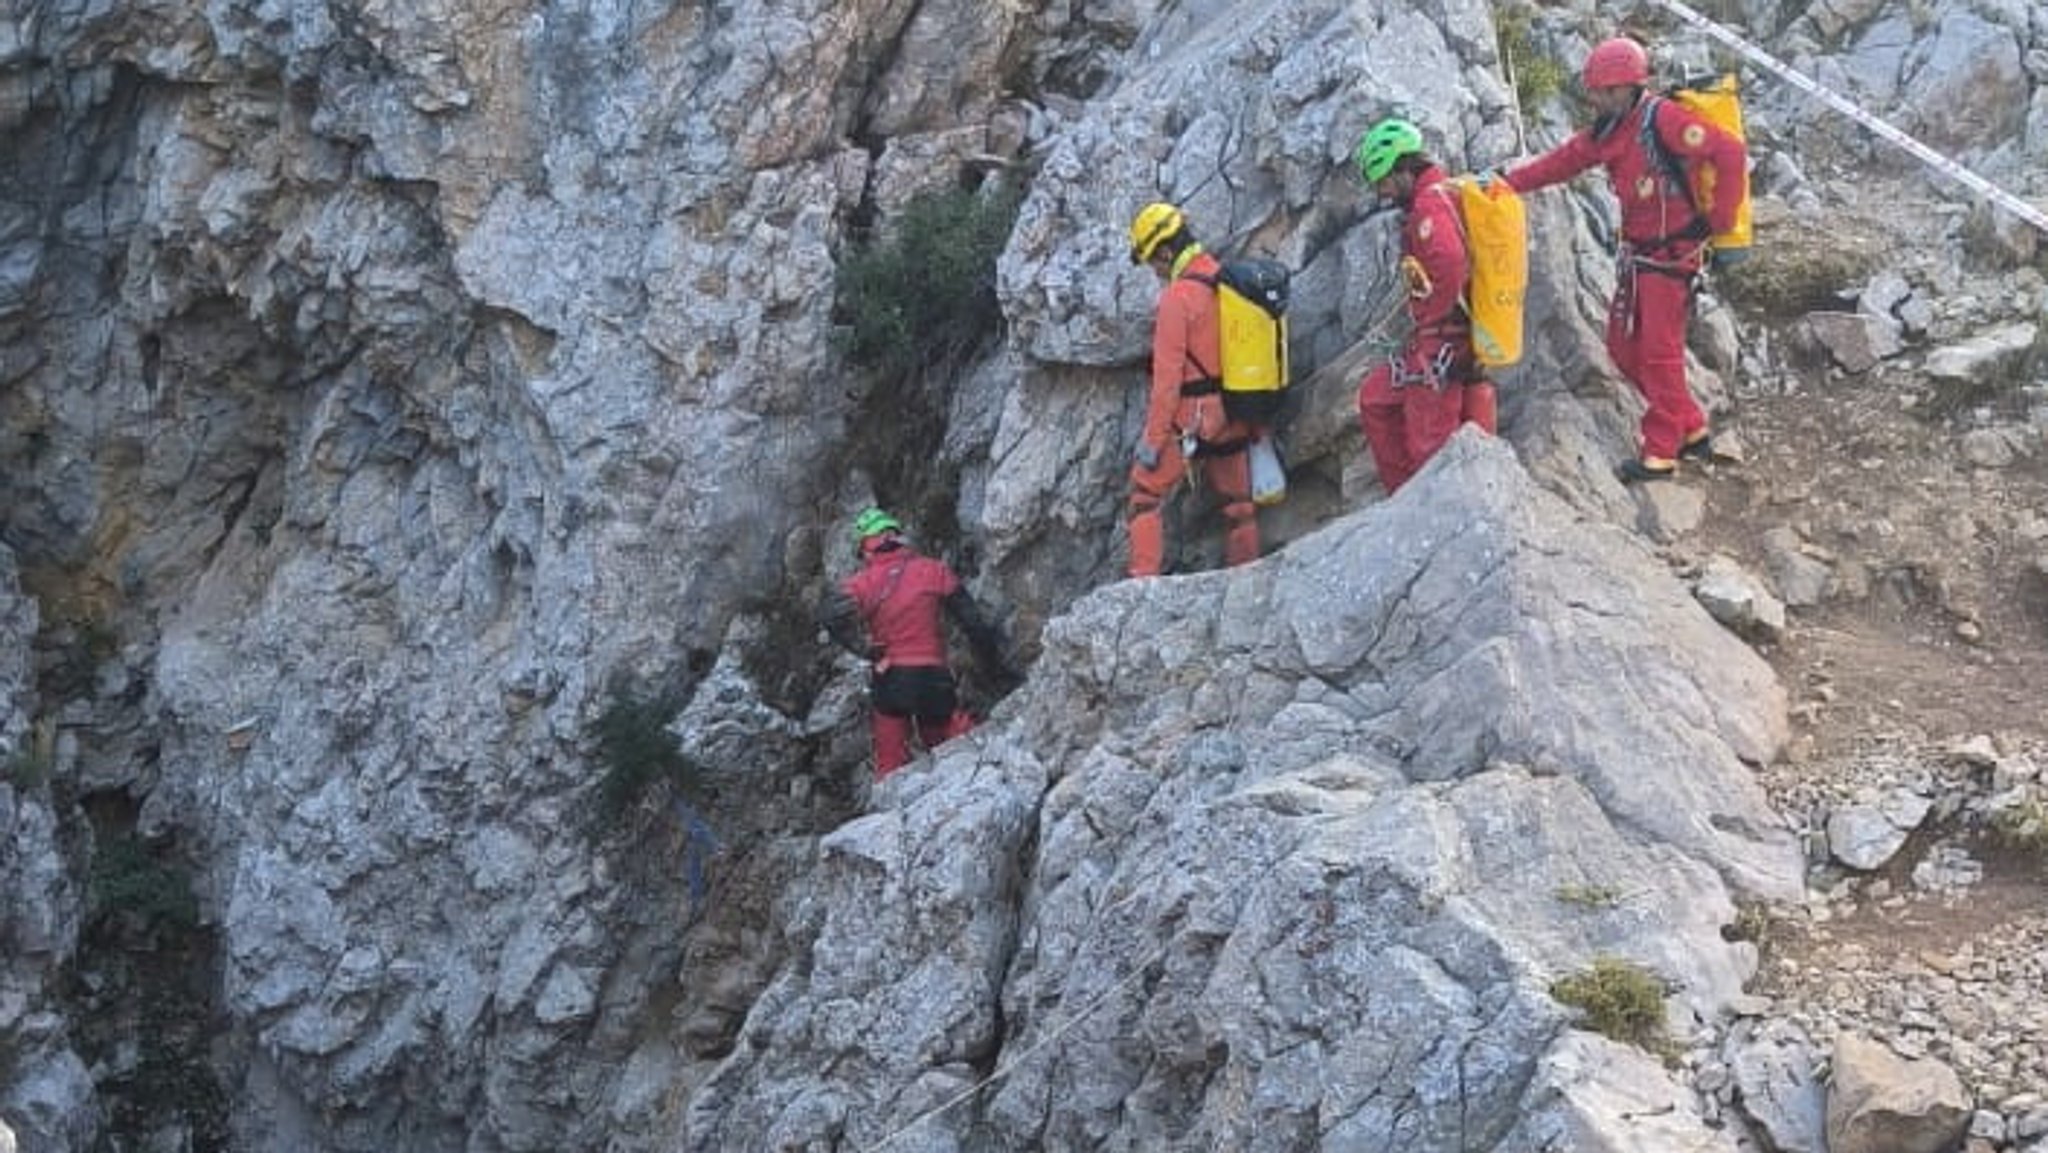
(900, 595)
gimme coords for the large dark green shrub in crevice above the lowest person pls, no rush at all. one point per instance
(923, 294)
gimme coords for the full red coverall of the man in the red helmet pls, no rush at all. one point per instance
(1662, 251)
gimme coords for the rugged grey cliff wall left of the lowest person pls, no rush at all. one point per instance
(384, 380)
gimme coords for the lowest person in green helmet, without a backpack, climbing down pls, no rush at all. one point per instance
(890, 613)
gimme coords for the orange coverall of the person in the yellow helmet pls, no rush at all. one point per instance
(1185, 400)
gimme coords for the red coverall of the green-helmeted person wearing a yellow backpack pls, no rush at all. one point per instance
(1414, 404)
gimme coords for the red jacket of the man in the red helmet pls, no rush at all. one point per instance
(1654, 206)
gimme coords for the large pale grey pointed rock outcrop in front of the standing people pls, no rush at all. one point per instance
(1273, 859)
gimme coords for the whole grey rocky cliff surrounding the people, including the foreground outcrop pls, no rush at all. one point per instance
(390, 390)
